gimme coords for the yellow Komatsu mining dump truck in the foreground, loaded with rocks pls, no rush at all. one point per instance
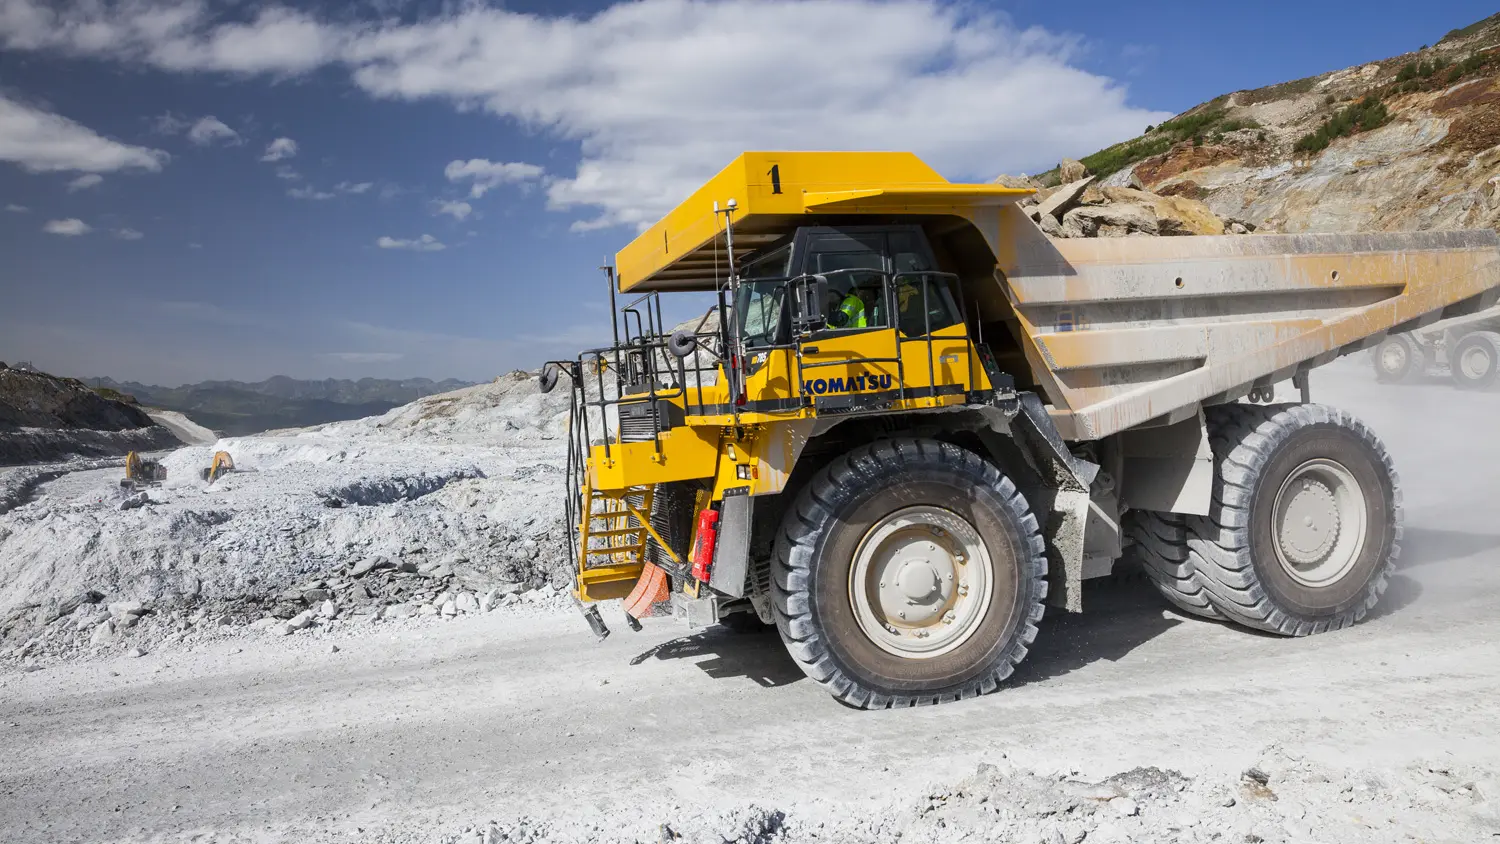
(908, 422)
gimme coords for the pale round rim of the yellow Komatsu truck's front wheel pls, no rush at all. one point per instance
(922, 582)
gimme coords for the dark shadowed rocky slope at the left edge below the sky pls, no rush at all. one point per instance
(44, 418)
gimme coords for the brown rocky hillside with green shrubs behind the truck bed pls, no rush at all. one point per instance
(1402, 145)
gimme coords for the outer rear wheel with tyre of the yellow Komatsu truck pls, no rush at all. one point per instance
(1306, 522)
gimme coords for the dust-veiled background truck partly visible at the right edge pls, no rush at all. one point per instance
(1468, 347)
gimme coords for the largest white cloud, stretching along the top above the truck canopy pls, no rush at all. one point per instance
(659, 95)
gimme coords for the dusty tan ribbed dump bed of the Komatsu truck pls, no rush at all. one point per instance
(1121, 332)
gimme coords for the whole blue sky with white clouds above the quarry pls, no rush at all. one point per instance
(196, 190)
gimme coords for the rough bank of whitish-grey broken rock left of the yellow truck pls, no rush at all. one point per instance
(463, 491)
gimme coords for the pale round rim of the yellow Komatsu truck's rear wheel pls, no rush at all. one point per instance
(1319, 524)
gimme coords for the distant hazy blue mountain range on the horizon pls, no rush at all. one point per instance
(238, 409)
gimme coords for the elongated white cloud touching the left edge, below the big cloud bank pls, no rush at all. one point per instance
(41, 142)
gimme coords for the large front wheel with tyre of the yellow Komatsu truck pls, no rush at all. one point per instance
(908, 572)
